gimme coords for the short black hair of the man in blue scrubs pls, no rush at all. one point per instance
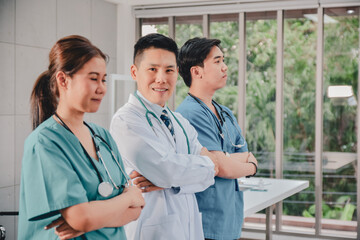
(193, 53)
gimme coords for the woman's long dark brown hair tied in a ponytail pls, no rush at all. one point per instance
(69, 54)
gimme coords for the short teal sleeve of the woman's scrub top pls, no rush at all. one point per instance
(50, 182)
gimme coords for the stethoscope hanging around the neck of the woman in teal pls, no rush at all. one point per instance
(105, 189)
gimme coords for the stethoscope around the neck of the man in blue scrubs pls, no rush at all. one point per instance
(222, 119)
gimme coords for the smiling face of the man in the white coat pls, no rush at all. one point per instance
(155, 72)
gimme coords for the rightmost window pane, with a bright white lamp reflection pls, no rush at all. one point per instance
(341, 56)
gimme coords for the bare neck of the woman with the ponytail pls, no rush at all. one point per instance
(73, 119)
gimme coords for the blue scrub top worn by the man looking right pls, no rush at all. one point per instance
(221, 205)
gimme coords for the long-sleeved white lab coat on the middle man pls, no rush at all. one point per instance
(171, 213)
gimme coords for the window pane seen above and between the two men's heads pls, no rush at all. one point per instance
(185, 28)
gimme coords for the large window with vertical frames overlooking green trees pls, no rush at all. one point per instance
(339, 50)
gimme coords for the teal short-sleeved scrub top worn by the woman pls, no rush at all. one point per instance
(57, 174)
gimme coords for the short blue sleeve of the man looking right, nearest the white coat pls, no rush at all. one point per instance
(208, 133)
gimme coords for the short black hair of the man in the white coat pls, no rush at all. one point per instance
(154, 40)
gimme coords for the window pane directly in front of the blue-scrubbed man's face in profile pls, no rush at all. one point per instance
(226, 28)
